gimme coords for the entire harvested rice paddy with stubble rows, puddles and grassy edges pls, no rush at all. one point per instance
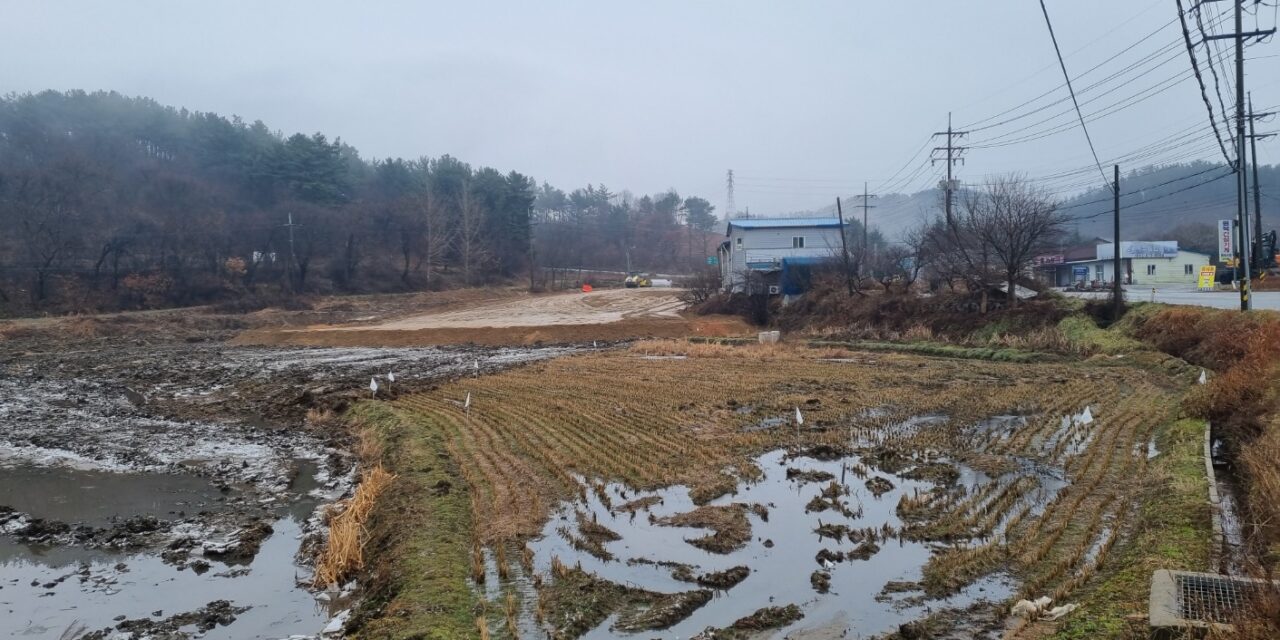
(701, 491)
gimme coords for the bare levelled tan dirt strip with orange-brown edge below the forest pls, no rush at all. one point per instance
(564, 318)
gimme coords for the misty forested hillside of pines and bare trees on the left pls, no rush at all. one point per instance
(121, 203)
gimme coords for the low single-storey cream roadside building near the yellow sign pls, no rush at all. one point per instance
(1142, 263)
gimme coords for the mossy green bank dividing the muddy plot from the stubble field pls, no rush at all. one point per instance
(422, 536)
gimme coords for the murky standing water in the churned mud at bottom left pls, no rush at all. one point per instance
(49, 591)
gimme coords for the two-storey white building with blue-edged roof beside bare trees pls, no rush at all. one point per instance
(760, 246)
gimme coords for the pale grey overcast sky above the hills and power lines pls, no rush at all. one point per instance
(803, 100)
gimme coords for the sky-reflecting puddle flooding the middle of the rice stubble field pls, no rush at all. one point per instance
(785, 550)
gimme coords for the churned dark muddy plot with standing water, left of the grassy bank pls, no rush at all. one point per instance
(156, 481)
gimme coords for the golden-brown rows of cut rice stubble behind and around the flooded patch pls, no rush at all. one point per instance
(532, 432)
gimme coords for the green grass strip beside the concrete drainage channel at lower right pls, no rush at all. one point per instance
(1173, 529)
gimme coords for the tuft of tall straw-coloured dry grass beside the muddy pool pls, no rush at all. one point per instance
(345, 551)
